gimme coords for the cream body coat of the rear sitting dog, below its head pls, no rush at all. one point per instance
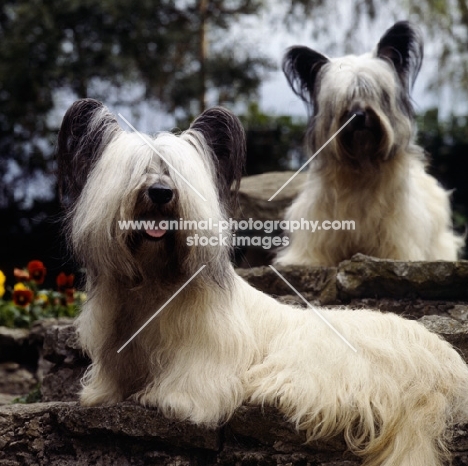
(405, 215)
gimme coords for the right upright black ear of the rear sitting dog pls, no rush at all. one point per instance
(402, 45)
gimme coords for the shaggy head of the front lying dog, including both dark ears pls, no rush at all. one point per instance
(107, 176)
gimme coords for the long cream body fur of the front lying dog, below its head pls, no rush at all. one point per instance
(213, 351)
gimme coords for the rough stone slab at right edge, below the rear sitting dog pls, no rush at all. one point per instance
(367, 277)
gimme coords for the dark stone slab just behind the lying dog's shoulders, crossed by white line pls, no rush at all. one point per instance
(318, 283)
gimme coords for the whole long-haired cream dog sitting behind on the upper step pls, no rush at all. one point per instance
(372, 172)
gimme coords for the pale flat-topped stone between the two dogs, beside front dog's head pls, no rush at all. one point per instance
(255, 191)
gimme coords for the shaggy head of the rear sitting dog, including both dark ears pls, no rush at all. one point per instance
(374, 89)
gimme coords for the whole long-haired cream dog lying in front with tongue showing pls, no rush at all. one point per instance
(218, 342)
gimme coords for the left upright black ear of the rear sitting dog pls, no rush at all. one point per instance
(301, 66)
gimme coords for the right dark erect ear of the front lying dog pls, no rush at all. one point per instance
(225, 135)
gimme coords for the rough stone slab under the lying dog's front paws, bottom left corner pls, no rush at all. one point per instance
(67, 434)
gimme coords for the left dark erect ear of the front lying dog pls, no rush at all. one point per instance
(87, 128)
